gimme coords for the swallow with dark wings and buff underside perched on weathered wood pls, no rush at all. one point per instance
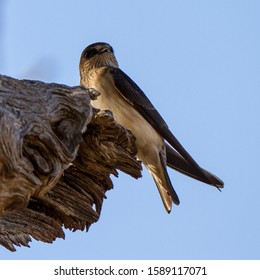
(157, 147)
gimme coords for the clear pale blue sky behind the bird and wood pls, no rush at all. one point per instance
(199, 63)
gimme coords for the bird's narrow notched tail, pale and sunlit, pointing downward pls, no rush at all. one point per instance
(163, 184)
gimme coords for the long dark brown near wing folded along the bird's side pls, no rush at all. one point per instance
(135, 96)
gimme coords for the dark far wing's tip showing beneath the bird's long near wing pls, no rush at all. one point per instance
(177, 162)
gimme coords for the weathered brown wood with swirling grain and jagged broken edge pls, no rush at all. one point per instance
(56, 157)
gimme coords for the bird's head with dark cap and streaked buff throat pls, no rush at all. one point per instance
(97, 55)
